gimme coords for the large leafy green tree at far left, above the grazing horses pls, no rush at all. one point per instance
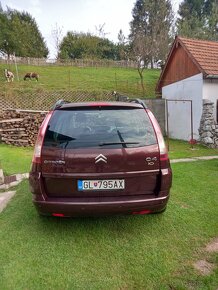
(20, 34)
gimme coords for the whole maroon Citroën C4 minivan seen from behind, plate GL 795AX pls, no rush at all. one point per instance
(100, 158)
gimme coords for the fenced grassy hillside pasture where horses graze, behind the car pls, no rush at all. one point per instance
(56, 78)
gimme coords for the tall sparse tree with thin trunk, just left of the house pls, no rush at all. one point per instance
(150, 32)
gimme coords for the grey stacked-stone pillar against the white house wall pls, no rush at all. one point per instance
(208, 130)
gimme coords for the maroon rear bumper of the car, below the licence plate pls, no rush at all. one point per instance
(99, 207)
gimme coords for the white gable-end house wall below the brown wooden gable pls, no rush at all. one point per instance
(179, 113)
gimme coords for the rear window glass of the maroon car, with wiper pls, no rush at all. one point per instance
(107, 128)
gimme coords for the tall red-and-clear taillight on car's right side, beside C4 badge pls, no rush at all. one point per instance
(164, 159)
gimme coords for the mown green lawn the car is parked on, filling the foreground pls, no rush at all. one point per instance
(120, 252)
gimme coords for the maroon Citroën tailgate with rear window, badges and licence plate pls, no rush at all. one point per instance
(100, 150)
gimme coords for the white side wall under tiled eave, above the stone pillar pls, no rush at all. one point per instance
(210, 92)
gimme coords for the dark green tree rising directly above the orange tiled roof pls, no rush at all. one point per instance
(198, 19)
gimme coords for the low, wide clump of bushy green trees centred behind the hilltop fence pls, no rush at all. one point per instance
(84, 45)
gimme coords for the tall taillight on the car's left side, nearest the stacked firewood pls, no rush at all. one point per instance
(40, 139)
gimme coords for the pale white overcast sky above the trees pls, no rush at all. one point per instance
(78, 15)
